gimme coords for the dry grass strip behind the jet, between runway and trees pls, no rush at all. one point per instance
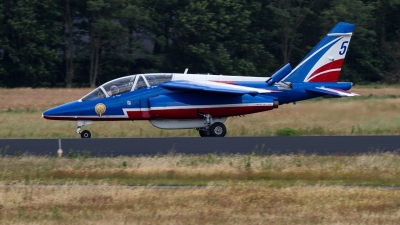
(377, 115)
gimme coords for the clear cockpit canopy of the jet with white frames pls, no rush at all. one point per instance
(126, 84)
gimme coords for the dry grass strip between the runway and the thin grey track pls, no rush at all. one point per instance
(228, 170)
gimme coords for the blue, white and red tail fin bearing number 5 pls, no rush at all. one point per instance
(324, 62)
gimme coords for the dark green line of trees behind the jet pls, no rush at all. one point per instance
(75, 43)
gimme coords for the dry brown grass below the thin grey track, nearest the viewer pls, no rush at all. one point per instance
(210, 205)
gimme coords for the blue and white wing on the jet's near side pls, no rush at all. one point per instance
(209, 86)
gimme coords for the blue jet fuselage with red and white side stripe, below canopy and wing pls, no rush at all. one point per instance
(156, 102)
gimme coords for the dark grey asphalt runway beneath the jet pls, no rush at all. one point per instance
(112, 147)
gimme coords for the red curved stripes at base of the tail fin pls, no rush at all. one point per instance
(332, 76)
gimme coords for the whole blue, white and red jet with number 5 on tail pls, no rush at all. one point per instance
(204, 102)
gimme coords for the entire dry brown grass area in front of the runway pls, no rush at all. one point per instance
(84, 190)
